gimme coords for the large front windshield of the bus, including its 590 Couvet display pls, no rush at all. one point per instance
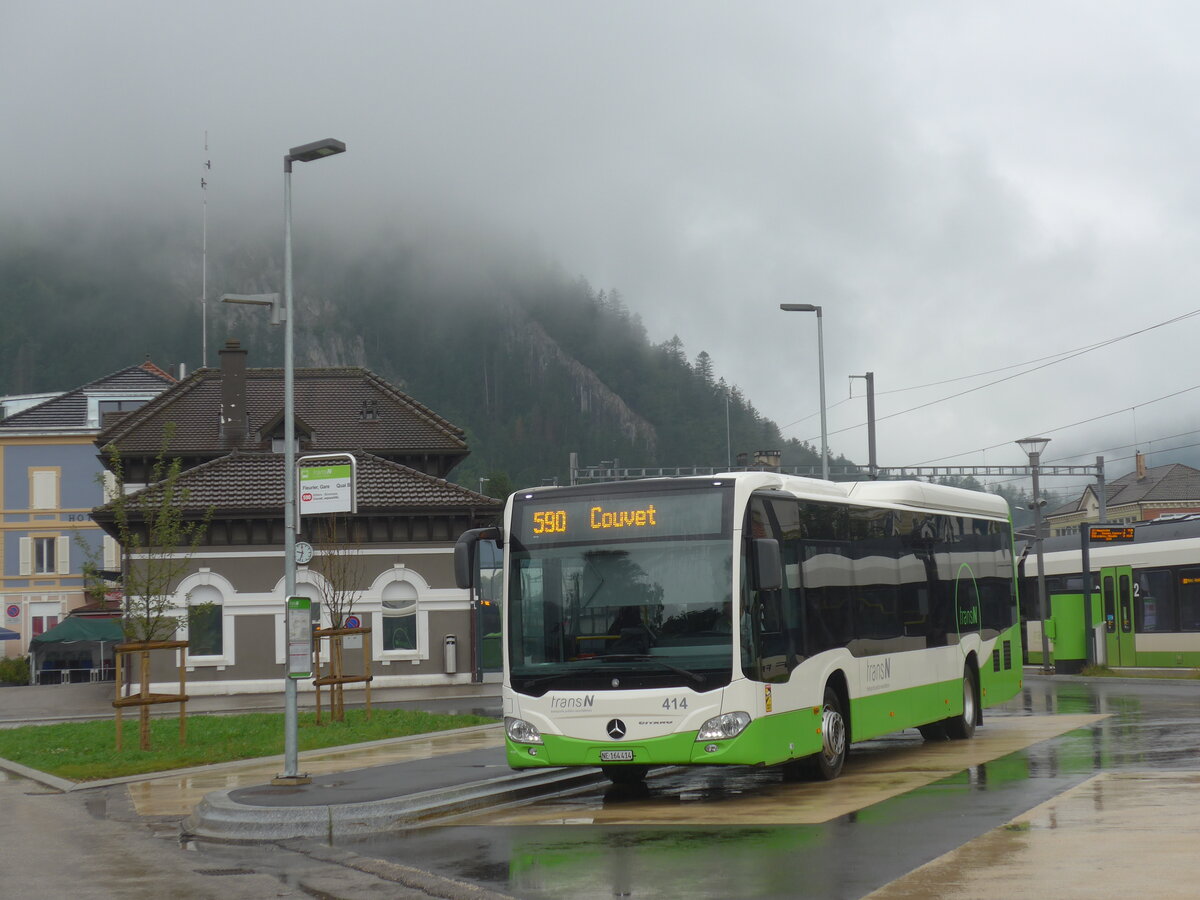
(625, 592)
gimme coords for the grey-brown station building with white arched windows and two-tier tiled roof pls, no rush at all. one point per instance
(394, 555)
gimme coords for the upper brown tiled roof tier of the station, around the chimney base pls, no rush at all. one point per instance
(328, 401)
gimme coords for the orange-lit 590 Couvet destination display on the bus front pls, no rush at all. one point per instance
(631, 518)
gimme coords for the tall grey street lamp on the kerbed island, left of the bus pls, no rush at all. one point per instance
(307, 153)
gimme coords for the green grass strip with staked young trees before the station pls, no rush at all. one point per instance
(87, 752)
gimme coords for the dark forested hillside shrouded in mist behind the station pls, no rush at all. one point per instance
(532, 362)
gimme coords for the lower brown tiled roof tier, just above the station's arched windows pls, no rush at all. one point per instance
(254, 483)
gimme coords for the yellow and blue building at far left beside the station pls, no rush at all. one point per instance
(50, 484)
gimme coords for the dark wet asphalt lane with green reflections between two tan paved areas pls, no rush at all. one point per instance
(1149, 727)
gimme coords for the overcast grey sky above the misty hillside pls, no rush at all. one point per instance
(961, 187)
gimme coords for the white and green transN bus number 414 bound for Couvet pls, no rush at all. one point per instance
(748, 619)
